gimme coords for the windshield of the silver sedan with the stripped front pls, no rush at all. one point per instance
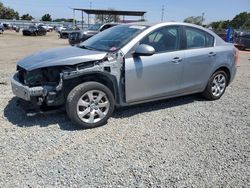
(112, 39)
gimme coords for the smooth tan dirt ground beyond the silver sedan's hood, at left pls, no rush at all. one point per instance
(14, 46)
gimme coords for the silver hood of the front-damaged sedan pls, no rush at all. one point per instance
(60, 57)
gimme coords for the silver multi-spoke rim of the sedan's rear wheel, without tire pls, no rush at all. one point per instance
(219, 85)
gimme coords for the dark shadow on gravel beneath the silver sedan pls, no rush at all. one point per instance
(15, 115)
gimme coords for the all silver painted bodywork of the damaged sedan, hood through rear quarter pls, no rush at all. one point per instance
(147, 78)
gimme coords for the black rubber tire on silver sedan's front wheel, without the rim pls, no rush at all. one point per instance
(79, 91)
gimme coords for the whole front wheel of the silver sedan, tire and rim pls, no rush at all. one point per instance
(90, 104)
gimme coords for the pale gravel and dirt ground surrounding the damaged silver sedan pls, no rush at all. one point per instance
(182, 142)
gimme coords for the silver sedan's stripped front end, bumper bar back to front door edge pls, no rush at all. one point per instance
(44, 89)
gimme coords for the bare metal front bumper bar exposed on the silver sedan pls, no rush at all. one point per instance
(25, 92)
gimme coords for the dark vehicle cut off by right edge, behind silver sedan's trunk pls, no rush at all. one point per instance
(242, 39)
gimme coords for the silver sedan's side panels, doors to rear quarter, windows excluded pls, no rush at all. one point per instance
(157, 77)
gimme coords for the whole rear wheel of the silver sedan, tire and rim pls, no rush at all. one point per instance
(216, 86)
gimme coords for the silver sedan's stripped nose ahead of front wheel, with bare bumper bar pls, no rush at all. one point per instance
(38, 90)
